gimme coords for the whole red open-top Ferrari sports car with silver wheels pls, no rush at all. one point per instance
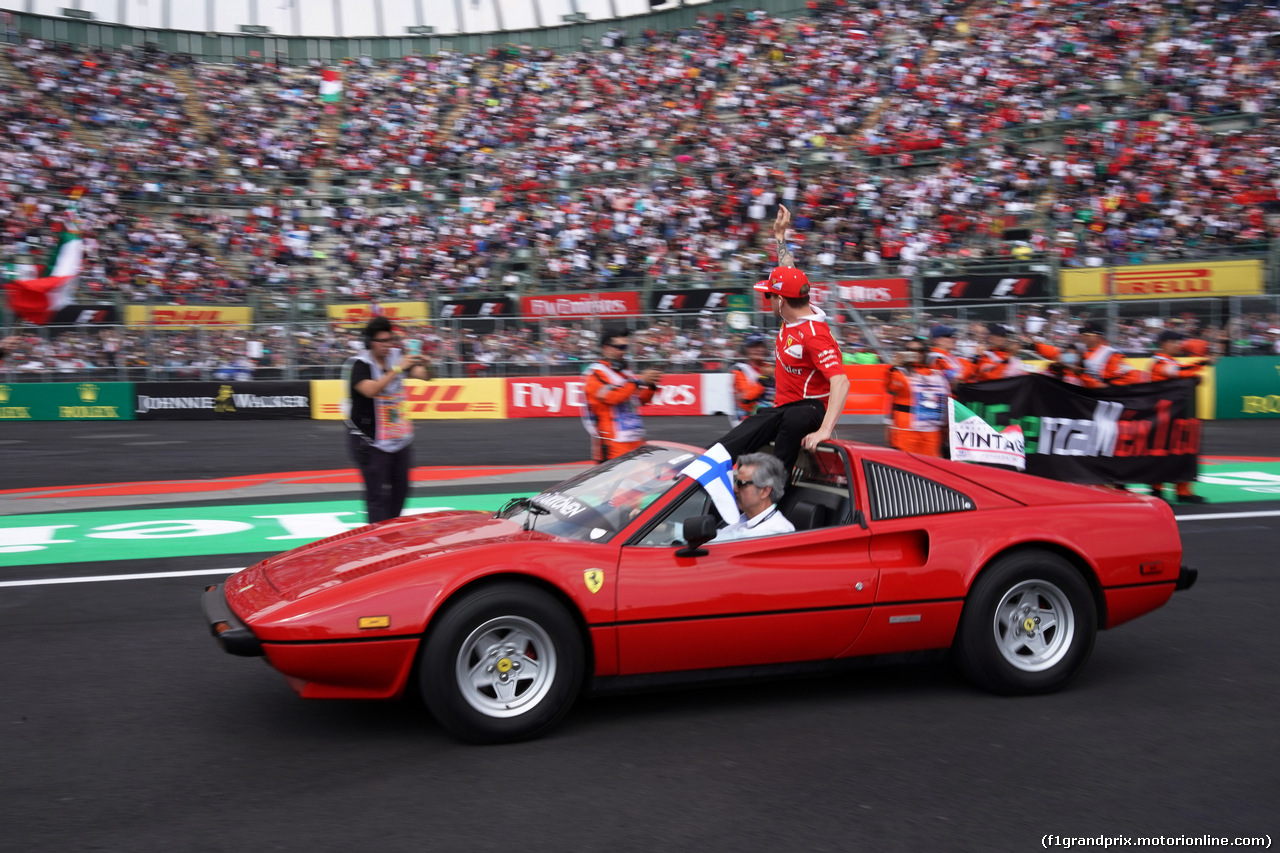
(610, 580)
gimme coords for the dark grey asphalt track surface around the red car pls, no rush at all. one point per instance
(125, 728)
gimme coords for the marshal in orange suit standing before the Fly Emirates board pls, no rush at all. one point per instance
(612, 399)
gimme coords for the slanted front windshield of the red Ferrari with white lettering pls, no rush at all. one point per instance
(601, 501)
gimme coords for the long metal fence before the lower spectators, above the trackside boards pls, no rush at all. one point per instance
(516, 346)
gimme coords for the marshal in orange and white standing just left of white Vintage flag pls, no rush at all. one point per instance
(918, 413)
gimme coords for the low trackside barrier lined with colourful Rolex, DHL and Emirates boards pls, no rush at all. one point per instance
(1242, 387)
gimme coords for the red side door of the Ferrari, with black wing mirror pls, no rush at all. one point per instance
(794, 597)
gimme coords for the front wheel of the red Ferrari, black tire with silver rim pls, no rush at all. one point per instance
(502, 664)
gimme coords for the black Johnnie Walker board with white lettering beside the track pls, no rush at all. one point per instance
(222, 400)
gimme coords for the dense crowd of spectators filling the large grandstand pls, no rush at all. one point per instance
(899, 131)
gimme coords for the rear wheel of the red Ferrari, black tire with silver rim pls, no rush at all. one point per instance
(1030, 590)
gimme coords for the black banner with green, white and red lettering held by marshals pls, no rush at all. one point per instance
(1146, 434)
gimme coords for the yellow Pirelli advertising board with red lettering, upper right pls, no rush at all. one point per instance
(1194, 280)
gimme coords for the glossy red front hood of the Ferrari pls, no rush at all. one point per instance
(365, 551)
